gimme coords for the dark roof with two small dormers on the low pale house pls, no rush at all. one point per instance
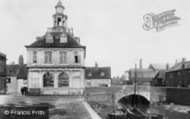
(98, 73)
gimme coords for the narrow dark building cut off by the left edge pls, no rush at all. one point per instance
(2, 73)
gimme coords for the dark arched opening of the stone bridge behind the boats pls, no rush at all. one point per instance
(138, 101)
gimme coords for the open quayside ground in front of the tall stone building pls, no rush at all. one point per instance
(60, 107)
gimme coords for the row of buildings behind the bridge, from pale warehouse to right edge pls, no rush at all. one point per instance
(178, 75)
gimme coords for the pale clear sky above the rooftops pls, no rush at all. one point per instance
(111, 30)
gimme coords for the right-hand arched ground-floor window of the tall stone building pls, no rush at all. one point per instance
(63, 80)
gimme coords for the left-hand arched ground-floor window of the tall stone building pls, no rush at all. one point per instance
(48, 80)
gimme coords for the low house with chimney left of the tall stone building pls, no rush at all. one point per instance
(16, 76)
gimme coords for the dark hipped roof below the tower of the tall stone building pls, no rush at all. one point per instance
(71, 42)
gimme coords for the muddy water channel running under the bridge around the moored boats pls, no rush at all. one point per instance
(145, 106)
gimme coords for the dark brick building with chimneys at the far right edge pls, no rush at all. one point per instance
(179, 75)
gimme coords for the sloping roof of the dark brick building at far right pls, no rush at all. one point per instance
(180, 66)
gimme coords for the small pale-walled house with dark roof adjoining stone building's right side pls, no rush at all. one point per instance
(98, 76)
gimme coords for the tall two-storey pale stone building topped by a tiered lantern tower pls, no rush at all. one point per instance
(56, 60)
